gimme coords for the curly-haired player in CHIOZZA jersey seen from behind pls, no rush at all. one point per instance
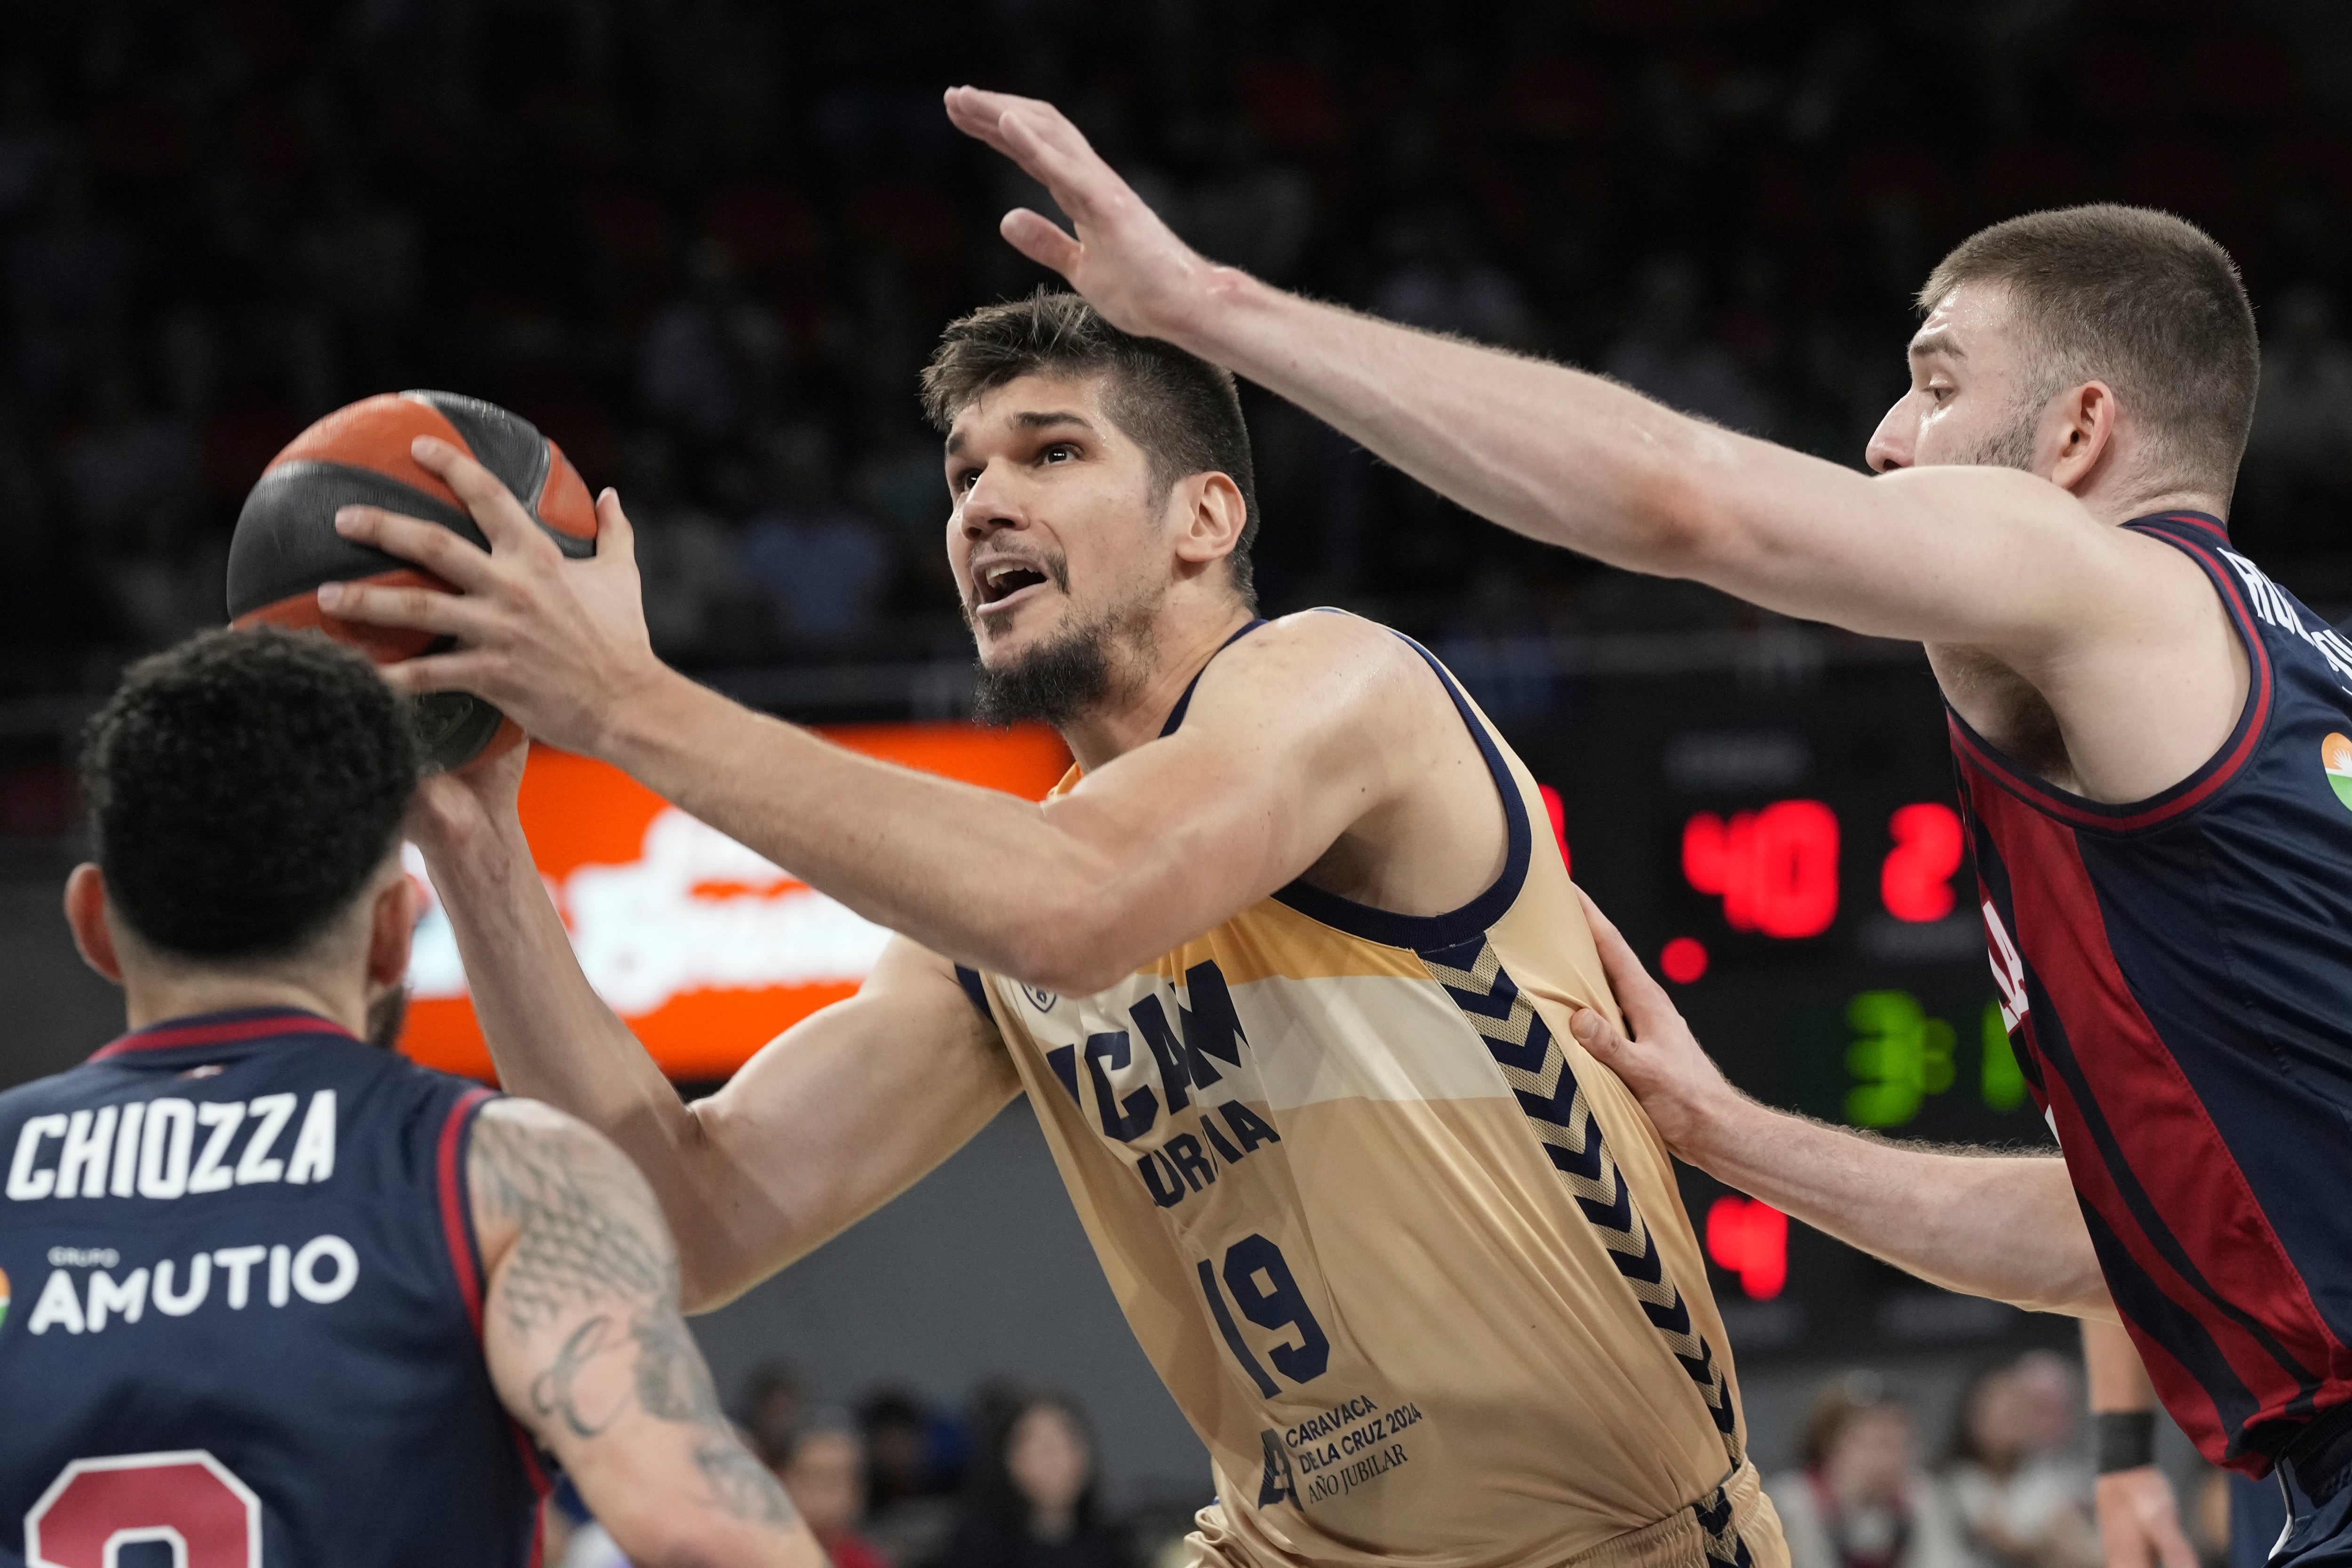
(269, 1294)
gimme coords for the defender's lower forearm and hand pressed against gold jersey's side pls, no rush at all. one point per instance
(2000, 1226)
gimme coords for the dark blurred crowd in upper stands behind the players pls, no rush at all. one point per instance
(709, 243)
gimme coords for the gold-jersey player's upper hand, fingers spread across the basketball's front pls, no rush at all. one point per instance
(559, 645)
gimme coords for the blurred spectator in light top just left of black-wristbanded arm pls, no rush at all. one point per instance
(2024, 1499)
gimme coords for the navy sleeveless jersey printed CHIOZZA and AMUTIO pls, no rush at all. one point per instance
(243, 1308)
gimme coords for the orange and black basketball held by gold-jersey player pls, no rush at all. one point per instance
(286, 542)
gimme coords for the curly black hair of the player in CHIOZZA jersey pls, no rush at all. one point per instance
(243, 789)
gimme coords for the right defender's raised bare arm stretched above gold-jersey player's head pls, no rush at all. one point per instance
(1986, 558)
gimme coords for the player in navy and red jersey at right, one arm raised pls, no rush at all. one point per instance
(2153, 744)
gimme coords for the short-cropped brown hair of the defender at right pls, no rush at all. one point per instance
(2139, 300)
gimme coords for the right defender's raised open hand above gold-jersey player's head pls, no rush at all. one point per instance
(1125, 260)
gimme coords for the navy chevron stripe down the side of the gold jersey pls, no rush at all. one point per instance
(1537, 1071)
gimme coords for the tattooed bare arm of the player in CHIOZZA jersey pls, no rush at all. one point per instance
(589, 1353)
